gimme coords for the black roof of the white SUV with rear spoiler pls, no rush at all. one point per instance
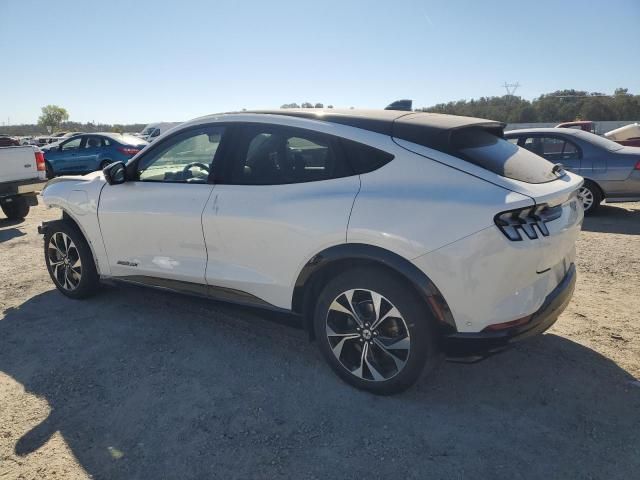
(429, 129)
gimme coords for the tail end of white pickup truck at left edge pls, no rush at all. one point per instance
(22, 175)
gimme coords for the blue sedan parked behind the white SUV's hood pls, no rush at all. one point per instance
(89, 152)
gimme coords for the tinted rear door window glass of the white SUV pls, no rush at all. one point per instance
(272, 155)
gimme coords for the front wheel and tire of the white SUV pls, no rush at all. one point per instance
(70, 261)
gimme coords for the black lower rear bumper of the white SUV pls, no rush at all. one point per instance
(487, 342)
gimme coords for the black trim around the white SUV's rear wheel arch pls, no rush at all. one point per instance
(423, 285)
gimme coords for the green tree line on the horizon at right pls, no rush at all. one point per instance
(558, 106)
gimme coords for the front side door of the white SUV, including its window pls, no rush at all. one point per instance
(152, 225)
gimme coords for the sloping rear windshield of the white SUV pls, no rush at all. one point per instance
(501, 156)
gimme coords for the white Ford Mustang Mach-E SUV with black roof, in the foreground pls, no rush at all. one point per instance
(393, 235)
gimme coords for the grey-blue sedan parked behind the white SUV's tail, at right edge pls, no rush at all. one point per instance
(611, 171)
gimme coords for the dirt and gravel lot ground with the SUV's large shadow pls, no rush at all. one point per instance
(143, 384)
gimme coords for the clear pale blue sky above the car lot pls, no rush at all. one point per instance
(134, 61)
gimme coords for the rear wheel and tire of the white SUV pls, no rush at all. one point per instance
(361, 360)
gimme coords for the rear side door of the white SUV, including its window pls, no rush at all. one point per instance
(284, 195)
